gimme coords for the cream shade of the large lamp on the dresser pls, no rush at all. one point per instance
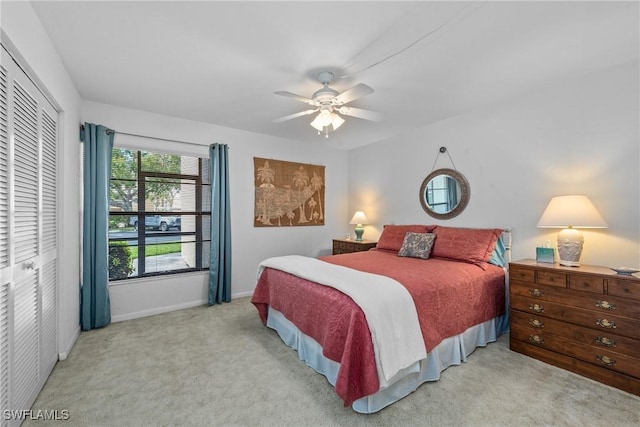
(574, 211)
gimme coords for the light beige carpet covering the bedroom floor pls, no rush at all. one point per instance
(210, 366)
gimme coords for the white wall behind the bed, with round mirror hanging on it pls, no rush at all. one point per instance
(580, 137)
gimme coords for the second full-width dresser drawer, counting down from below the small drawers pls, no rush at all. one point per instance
(604, 322)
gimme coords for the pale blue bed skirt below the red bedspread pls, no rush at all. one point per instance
(451, 351)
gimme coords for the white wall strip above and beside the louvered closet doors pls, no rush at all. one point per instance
(22, 29)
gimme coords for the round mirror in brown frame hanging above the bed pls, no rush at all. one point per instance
(444, 193)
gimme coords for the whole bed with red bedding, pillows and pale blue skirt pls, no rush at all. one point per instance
(378, 324)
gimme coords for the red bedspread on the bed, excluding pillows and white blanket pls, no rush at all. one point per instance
(450, 297)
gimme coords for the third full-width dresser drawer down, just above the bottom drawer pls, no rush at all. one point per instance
(588, 336)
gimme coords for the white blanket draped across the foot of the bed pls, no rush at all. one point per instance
(387, 305)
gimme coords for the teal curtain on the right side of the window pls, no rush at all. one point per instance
(220, 263)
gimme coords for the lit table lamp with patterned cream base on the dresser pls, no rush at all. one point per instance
(569, 213)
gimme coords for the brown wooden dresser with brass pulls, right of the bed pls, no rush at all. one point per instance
(584, 319)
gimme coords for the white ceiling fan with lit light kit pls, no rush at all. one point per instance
(329, 102)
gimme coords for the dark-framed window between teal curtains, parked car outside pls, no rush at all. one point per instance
(159, 215)
